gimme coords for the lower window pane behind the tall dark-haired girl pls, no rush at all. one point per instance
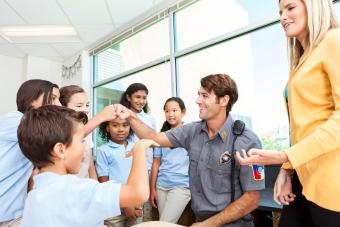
(158, 81)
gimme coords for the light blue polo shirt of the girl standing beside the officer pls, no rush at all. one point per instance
(173, 171)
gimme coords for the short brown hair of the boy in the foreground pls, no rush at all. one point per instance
(40, 129)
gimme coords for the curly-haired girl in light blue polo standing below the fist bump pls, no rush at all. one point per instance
(112, 165)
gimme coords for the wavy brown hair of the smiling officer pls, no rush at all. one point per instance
(221, 85)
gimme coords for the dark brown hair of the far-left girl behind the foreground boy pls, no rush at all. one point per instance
(31, 90)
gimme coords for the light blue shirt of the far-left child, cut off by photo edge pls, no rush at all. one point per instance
(15, 169)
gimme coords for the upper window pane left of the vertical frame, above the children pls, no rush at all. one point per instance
(141, 48)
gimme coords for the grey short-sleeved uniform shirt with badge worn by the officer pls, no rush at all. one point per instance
(209, 181)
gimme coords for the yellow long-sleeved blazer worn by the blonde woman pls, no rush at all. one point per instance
(314, 117)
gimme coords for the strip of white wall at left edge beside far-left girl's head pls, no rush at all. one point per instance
(11, 77)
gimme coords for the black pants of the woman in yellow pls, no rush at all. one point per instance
(301, 212)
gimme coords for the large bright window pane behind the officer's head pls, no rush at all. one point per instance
(259, 65)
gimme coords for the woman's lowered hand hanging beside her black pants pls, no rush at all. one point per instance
(283, 188)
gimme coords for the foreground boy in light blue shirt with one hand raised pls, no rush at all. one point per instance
(60, 198)
